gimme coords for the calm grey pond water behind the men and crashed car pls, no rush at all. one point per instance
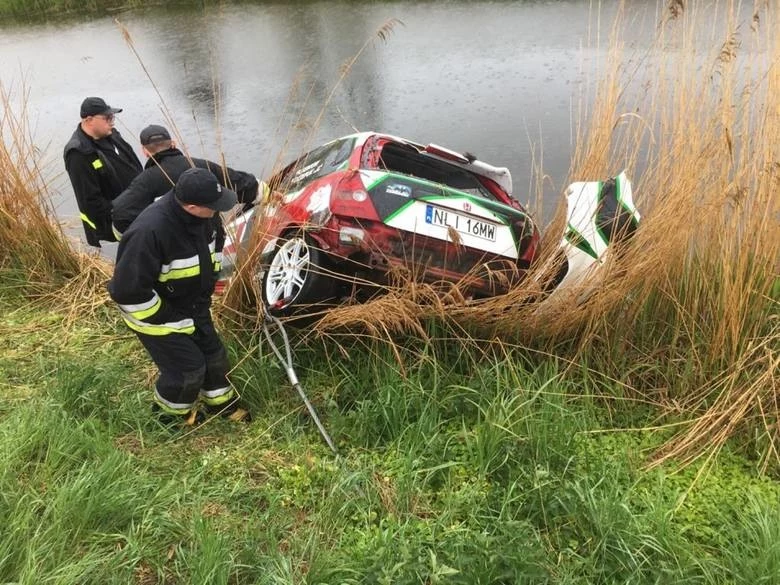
(499, 79)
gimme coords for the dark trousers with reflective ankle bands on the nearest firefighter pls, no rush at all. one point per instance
(190, 365)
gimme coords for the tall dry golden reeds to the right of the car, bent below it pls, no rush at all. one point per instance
(686, 314)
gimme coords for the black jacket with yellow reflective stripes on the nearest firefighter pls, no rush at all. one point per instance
(166, 268)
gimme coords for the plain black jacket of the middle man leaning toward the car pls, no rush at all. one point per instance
(161, 172)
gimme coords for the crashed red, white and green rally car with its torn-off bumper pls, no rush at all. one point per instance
(361, 210)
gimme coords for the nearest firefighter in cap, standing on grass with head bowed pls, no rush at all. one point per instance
(166, 268)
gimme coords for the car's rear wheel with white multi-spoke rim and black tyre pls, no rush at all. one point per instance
(296, 276)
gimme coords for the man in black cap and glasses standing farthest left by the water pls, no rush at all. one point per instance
(100, 164)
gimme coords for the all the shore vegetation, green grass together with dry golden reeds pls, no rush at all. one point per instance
(632, 438)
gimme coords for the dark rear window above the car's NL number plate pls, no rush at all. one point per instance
(407, 160)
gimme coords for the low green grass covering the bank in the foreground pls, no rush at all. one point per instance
(457, 468)
